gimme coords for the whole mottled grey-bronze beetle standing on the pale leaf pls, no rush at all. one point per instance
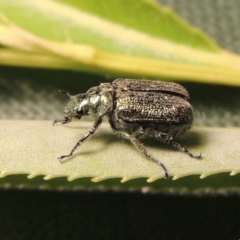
(135, 108)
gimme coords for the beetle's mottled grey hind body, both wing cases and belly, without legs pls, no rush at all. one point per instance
(150, 105)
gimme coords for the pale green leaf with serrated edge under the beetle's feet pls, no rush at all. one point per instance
(32, 148)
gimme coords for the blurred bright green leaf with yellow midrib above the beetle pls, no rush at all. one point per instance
(137, 38)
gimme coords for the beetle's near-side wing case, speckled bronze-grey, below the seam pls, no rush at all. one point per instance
(153, 107)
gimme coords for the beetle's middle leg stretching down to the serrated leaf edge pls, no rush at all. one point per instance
(139, 146)
